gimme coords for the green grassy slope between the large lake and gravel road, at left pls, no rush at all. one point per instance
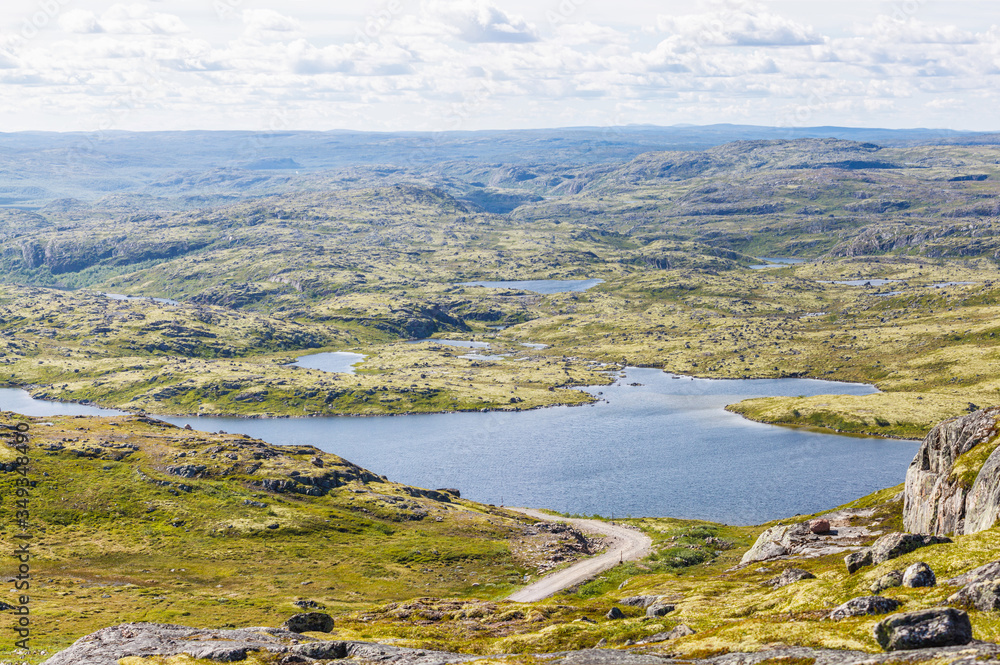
(118, 537)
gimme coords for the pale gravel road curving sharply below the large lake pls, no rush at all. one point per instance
(623, 545)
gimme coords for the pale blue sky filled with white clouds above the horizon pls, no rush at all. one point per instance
(434, 65)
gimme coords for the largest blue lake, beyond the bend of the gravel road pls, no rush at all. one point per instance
(664, 448)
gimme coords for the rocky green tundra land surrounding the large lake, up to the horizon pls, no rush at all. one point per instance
(172, 275)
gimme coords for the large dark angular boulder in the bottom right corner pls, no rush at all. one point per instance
(934, 627)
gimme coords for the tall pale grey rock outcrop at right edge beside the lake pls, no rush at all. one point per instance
(937, 502)
